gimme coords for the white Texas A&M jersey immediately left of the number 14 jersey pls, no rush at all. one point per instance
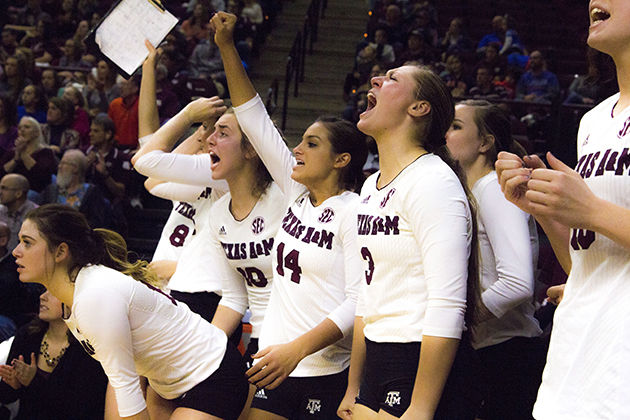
(244, 253)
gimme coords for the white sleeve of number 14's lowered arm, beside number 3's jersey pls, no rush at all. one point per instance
(343, 315)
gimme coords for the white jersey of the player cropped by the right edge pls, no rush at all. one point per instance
(587, 375)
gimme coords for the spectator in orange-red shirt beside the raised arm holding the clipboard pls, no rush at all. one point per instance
(124, 113)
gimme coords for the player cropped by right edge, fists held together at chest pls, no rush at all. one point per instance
(586, 215)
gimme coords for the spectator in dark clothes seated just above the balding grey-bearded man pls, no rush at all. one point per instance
(58, 132)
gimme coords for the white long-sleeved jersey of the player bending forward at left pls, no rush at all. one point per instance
(134, 330)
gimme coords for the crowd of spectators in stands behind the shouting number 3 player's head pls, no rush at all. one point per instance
(498, 67)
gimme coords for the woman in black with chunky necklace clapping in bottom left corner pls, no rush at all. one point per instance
(49, 371)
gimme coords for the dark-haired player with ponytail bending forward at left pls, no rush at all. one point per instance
(130, 326)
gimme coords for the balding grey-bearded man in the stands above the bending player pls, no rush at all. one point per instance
(69, 187)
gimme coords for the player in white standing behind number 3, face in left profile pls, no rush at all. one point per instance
(506, 334)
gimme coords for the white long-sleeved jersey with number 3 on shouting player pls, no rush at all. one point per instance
(415, 236)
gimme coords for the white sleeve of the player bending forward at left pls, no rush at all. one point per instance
(110, 336)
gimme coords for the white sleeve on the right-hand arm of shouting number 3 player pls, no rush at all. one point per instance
(439, 214)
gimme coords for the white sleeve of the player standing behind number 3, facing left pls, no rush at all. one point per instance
(508, 232)
